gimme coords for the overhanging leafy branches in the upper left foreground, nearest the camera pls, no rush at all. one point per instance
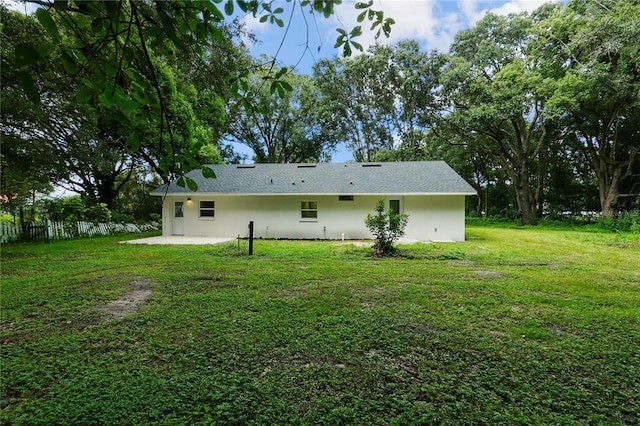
(109, 47)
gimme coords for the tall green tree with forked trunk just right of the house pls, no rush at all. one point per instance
(497, 99)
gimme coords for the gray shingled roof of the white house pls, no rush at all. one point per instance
(416, 177)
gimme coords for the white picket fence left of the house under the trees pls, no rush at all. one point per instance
(50, 230)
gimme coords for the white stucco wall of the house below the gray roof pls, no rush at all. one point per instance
(430, 217)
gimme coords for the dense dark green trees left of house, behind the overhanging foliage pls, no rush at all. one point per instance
(76, 141)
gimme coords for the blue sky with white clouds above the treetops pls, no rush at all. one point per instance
(432, 23)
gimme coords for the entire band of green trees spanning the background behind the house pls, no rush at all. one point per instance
(539, 112)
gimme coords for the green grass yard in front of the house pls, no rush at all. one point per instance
(515, 326)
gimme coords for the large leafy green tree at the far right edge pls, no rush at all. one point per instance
(596, 48)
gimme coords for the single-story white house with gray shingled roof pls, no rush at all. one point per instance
(316, 201)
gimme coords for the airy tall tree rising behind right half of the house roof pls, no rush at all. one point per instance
(379, 99)
